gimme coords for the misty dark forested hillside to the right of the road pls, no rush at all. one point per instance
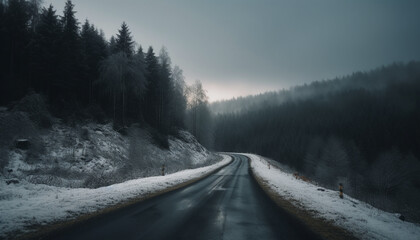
(361, 130)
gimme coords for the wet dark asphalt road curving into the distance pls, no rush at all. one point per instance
(226, 205)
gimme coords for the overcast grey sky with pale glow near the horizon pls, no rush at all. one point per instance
(241, 47)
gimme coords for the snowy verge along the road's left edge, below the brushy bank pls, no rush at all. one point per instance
(26, 204)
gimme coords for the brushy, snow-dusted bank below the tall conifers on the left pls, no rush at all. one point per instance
(90, 155)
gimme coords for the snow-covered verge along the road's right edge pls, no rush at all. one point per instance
(363, 220)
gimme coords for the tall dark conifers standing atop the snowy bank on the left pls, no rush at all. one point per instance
(82, 75)
